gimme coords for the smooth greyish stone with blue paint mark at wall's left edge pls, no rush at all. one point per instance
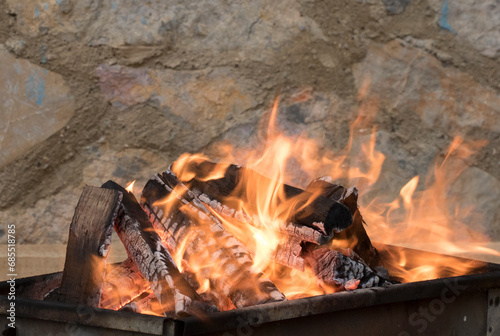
(35, 104)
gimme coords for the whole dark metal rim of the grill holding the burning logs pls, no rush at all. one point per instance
(126, 321)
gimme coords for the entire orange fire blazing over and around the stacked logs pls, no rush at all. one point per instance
(422, 213)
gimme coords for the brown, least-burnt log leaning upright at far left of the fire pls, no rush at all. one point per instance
(88, 246)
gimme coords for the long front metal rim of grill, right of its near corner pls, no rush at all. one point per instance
(330, 303)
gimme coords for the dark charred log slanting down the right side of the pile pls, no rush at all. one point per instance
(355, 235)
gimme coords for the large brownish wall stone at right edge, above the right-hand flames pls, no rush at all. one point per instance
(446, 99)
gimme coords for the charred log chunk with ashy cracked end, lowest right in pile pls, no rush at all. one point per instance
(333, 268)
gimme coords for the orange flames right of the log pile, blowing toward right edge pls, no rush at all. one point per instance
(425, 220)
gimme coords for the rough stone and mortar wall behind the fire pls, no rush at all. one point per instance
(94, 90)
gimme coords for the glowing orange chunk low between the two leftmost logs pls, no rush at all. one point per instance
(122, 284)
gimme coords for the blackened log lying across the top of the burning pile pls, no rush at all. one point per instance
(321, 214)
